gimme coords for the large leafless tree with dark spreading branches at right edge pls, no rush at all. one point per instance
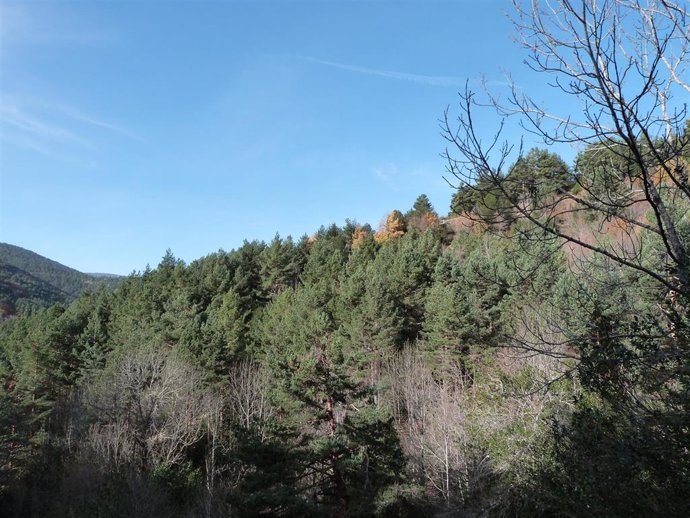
(620, 68)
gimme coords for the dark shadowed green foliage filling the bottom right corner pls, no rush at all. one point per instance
(605, 462)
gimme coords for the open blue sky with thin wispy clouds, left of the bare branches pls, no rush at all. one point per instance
(131, 127)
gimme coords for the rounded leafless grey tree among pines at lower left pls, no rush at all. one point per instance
(149, 411)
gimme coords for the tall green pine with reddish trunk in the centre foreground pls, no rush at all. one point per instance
(348, 448)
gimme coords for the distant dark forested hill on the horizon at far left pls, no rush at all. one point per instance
(29, 280)
